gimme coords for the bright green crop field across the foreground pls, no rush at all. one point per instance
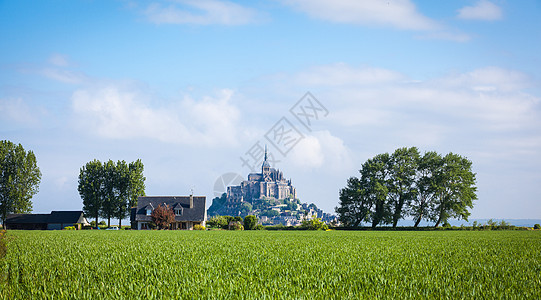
(271, 264)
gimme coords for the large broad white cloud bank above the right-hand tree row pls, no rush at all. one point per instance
(490, 98)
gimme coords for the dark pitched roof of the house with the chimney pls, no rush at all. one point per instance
(197, 213)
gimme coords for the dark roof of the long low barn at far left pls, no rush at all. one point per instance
(54, 217)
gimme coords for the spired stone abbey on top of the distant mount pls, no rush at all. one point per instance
(269, 183)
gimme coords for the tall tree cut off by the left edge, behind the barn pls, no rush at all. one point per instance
(19, 179)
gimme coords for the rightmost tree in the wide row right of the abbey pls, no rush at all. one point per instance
(455, 189)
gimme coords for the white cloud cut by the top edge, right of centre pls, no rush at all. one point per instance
(401, 14)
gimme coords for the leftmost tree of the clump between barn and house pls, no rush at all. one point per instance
(90, 188)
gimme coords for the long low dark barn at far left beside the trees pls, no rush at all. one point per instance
(56, 220)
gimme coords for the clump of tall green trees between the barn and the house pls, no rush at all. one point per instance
(110, 189)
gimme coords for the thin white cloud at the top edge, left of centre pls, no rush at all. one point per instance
(200, 12)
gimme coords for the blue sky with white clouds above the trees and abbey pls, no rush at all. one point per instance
(197, 89)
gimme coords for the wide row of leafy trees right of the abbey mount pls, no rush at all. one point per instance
(428, 187)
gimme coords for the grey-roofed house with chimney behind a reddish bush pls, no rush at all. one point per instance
(189, 211)
